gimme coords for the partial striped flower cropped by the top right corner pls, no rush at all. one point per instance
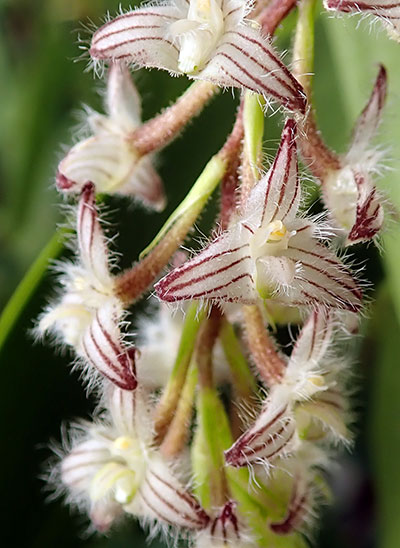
(386, 10)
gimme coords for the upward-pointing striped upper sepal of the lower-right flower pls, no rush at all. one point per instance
(313, 341)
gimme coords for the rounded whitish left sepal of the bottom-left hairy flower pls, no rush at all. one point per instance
(82, 463)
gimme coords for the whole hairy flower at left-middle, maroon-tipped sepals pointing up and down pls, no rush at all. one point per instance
(88, 315)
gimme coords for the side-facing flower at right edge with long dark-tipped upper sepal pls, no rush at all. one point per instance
(353, 200)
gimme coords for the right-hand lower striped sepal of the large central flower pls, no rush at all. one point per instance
(321, 278)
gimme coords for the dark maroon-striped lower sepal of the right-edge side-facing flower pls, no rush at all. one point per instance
(369, 211)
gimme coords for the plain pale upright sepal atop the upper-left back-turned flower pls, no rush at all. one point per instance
(123, 100)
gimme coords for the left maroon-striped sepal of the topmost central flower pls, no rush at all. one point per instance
(140, 37)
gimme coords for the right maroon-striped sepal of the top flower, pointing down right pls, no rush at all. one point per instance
(246, 60)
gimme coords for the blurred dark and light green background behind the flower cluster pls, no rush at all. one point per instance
(42, 89)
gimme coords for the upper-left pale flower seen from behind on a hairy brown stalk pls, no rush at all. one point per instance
(107, 158)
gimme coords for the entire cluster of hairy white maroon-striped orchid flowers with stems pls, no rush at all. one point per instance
(208, 429)
